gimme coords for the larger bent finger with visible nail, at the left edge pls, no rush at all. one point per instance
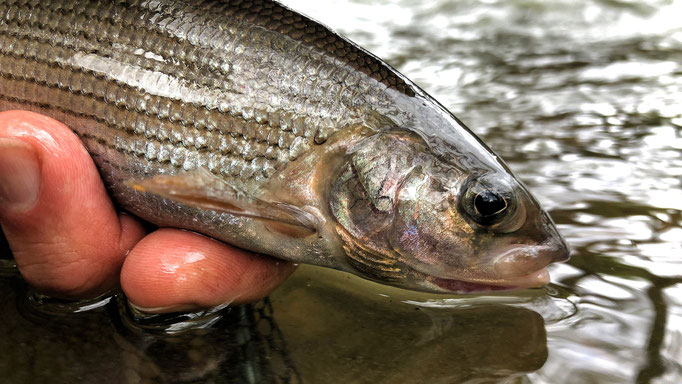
(64, 232)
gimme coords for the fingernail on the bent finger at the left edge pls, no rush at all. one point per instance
(19, 175)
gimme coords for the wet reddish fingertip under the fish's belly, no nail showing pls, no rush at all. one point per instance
(175, 270)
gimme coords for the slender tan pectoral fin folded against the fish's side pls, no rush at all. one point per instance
(201, 189)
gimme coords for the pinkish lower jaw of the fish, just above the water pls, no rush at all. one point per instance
(536, 279)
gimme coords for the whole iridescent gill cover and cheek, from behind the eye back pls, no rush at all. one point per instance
(395, 209)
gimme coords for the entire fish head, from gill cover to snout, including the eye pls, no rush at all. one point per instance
(415, 220)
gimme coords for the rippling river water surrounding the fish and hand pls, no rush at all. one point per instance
(582, 99)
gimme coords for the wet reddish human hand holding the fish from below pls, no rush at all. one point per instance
(68, 240)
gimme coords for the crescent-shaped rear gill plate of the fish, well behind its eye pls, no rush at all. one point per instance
(363, 197)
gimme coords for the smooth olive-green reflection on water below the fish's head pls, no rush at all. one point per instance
(337, 335)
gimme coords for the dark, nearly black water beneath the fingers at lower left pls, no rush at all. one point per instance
(48, 342)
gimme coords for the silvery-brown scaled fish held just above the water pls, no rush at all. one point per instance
(251, 123)
